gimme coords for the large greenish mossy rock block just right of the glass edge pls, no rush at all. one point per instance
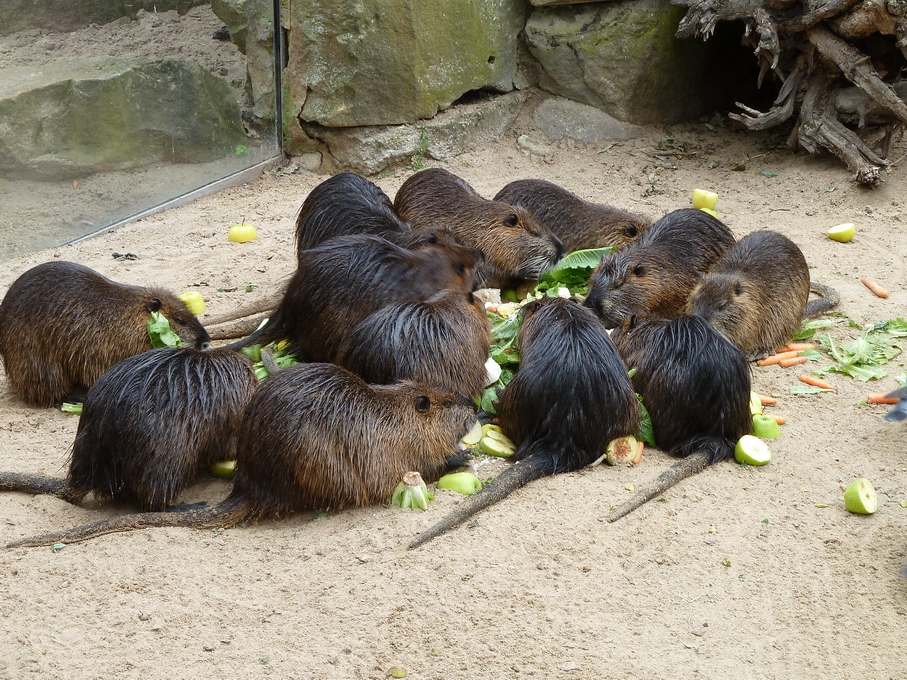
(388, 62)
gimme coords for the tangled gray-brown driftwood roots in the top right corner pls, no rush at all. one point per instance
(845, 100)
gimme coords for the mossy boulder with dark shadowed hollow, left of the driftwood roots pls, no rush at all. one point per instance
(623, 58)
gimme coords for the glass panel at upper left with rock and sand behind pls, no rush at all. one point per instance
(151, 134)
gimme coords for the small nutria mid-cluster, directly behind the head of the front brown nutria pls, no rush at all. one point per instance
(443, 341)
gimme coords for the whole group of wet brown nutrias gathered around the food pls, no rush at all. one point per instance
(393, 345)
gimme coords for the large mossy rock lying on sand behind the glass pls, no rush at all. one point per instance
(72, 118)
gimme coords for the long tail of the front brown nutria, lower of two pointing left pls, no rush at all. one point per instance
(221, 516)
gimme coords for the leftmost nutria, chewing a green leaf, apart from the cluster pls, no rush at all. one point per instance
(62, 325)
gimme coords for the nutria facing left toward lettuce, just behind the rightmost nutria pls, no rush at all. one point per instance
(654, 275)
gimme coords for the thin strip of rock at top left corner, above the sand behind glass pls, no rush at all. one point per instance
(69, 15)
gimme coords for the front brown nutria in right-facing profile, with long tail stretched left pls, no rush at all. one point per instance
(317, 437)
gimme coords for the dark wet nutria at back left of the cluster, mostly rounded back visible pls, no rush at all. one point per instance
(344, 204)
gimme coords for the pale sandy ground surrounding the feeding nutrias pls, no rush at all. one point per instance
(738, 572)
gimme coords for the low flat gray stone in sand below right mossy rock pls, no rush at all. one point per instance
(563, 118)
